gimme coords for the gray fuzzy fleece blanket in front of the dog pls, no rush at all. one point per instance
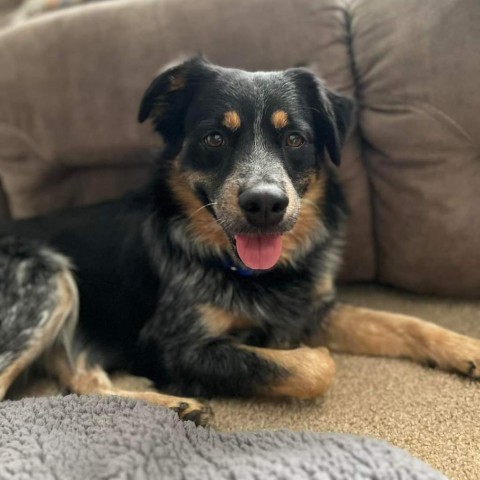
(90, 438)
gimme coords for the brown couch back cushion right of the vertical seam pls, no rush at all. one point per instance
(418, 70)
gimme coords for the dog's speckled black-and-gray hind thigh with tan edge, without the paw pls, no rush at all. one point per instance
(38, 305)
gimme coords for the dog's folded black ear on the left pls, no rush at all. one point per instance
(167, 98)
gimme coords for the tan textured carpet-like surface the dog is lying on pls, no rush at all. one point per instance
(433, 415)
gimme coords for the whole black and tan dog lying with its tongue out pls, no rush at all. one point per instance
(218, 277)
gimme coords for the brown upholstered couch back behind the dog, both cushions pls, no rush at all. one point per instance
(72, 82)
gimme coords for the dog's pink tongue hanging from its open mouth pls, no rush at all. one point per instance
(259, 252)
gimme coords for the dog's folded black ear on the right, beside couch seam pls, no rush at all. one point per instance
(332, 112)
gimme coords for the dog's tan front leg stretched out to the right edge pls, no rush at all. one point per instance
(363, 331)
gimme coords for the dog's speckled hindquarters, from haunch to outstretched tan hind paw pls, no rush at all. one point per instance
(38, 318)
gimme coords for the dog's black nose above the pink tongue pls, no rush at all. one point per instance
(264, 205)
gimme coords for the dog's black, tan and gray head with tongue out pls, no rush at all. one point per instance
(249, 150)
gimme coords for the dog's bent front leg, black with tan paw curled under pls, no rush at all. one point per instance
(202, 360)
